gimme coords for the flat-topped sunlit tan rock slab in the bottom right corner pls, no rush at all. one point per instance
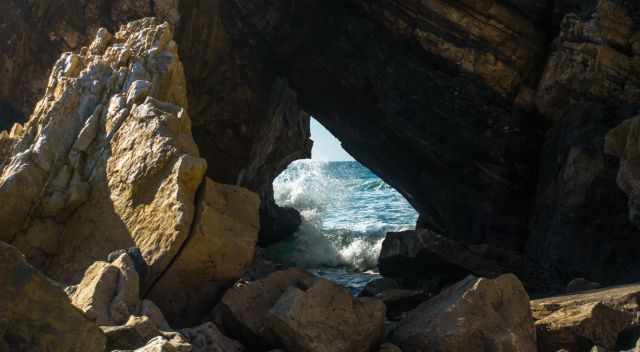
(577, 322)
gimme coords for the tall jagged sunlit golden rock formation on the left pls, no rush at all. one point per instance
(107, 161)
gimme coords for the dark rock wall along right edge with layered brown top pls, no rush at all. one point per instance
(589, 86)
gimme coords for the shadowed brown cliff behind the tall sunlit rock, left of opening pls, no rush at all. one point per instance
(246, 119)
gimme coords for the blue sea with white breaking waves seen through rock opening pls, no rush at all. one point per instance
(347, 211)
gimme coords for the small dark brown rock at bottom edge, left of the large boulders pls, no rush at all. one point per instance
(207, 338)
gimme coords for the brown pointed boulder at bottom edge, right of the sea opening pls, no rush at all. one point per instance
(472, 315)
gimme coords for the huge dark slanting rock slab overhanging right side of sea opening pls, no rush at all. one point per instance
(365, 70)
